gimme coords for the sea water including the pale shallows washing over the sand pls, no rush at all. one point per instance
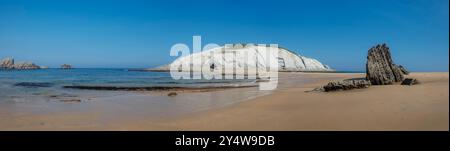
(36, 92)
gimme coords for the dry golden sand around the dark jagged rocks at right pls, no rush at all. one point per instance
(392, 107)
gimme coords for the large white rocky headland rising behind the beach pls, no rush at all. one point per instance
(237, 54)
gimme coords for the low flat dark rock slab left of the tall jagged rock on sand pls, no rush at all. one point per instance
(346, 85)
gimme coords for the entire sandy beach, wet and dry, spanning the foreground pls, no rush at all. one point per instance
(393, 107)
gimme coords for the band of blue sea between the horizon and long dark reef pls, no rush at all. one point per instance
(99, 77)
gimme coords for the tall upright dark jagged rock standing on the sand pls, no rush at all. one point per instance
(380, 69)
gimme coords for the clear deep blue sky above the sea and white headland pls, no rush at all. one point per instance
(128, 33)
